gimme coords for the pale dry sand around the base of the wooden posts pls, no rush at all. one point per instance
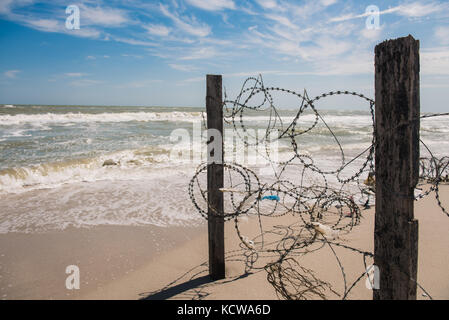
(183, 272)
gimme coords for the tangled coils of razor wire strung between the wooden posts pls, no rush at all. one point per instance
(323, 210)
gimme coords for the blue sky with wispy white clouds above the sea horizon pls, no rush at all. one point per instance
(137, 52)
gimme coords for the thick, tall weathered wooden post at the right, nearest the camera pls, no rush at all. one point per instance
(397, 163)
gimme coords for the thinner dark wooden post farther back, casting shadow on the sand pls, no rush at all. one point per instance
(215, 176)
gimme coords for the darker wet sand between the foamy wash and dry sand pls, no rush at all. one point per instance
(33, 265)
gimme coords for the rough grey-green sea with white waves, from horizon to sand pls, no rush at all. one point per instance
(83, 166)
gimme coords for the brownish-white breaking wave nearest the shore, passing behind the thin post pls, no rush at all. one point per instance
(122, 165)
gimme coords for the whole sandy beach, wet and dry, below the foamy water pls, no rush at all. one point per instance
(125, 263)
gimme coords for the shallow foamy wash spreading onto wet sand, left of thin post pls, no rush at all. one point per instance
(153, 200)
